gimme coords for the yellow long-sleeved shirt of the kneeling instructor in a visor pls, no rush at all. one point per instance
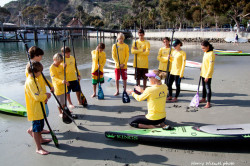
(156, 100)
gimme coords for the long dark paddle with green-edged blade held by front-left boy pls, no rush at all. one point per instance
(54, 138)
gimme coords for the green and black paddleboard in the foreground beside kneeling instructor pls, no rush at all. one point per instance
(194, 134)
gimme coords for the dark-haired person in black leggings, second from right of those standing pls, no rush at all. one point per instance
(177, 70)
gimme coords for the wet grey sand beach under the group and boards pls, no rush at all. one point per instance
(88, 145)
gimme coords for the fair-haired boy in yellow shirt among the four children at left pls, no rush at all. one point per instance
(57, 77)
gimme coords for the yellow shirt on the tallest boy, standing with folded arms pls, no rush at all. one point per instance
(142, 56)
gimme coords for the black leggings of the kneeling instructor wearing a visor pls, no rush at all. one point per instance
(141, 119)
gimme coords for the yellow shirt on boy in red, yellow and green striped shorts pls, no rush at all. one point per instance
(102, 60)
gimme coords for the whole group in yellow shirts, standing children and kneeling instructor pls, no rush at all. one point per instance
(157, 94)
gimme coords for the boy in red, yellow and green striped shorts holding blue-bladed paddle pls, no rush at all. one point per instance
(98, 62)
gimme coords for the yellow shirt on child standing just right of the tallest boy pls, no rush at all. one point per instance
(163, 58)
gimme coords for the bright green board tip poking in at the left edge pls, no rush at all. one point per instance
(10, 106)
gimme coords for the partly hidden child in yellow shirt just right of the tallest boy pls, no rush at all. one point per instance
(164, 56)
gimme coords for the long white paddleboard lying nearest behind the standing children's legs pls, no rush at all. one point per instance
(131, 80)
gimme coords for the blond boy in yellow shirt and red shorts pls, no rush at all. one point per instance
(123, 51)
